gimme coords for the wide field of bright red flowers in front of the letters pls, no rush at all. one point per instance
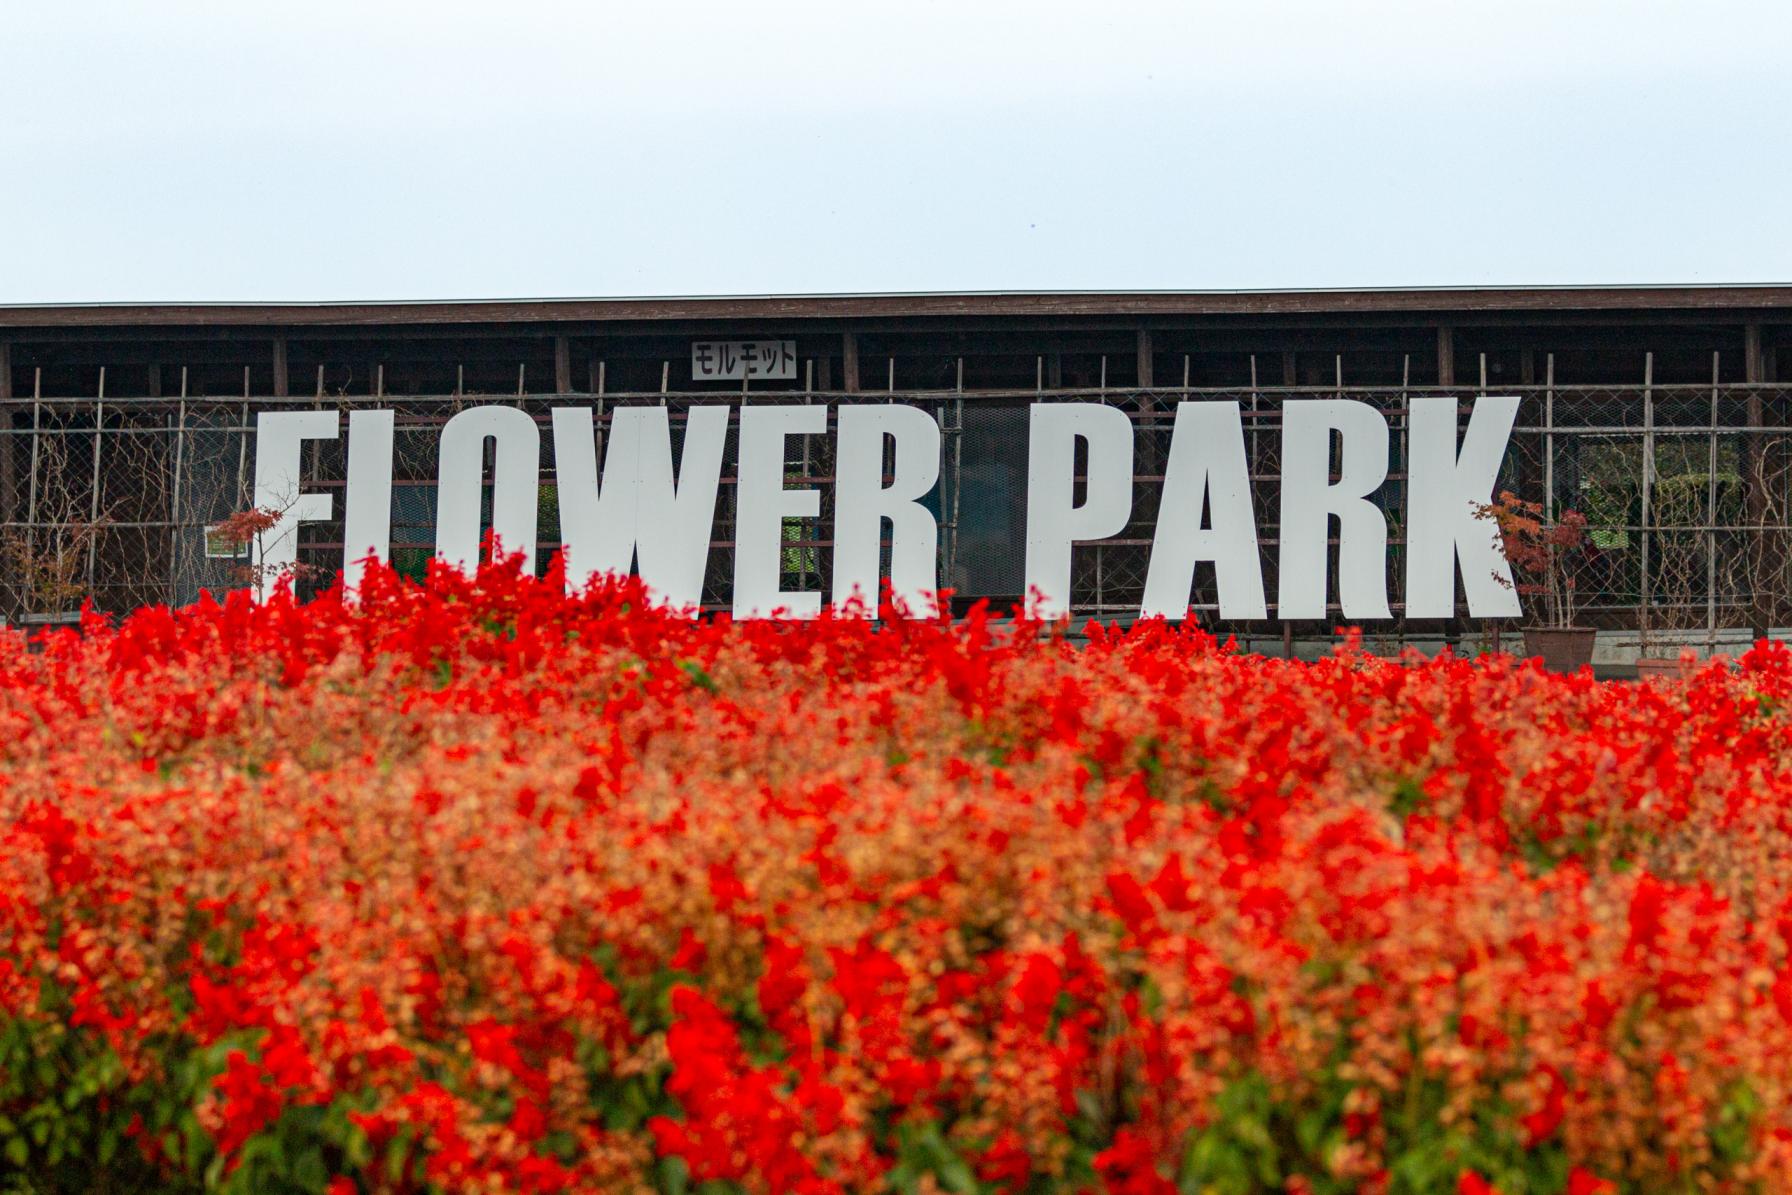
(476, 888)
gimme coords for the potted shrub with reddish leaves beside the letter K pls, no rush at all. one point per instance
(1544, 556)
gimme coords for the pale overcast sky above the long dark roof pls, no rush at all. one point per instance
(440, 150)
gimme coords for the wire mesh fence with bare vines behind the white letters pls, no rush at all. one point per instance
(1687, 492)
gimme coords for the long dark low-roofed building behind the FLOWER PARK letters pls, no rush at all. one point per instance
(1655, 411)
